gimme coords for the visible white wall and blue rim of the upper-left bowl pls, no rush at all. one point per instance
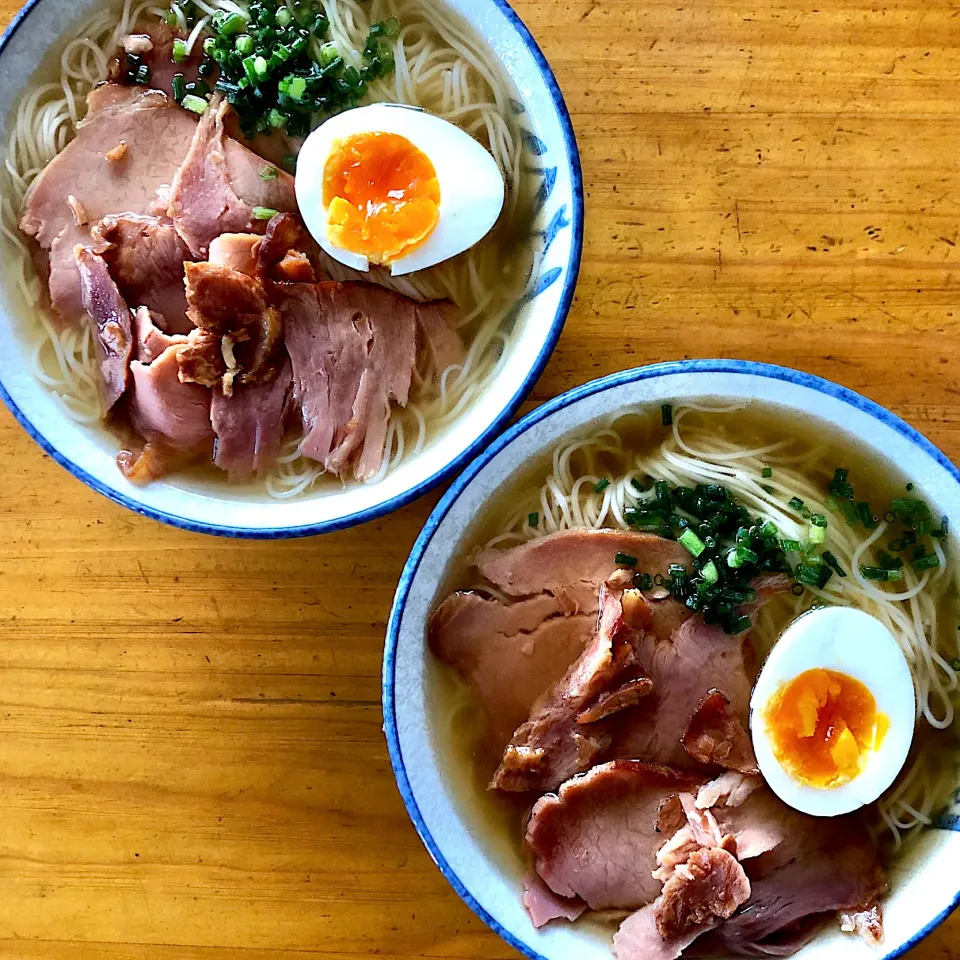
(41, 29)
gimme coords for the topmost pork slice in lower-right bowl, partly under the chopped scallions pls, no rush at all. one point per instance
(572, 564)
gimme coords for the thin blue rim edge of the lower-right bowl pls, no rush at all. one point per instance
(409, 574)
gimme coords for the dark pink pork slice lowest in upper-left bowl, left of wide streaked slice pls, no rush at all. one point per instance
(250, 425)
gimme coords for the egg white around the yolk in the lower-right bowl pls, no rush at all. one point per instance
(852, 642)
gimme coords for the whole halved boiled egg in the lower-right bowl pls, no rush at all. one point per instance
(833, 712)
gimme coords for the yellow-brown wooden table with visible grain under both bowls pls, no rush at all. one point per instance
(191, 759)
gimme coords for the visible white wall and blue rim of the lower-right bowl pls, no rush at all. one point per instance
(925, 883)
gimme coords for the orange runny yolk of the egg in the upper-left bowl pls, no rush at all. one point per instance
(382, 196)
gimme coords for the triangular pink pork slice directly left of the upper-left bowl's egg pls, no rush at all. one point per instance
(218, 186)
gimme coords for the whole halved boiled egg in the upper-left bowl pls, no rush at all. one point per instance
(394, 185)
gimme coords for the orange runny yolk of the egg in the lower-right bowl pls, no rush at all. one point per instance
(822, 726)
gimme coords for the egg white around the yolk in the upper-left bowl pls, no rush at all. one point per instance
(472, 190)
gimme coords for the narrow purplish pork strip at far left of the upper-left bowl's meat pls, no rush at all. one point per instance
(112, 325)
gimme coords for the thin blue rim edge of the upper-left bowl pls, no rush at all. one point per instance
(506, 414)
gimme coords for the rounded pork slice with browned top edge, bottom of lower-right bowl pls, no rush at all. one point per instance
(597, 838)
